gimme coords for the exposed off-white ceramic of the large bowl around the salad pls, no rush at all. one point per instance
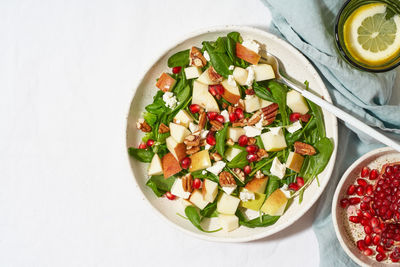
(296, 65)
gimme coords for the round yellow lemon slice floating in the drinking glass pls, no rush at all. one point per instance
(370, 37)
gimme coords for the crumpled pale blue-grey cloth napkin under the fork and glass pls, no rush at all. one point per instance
(308, 25)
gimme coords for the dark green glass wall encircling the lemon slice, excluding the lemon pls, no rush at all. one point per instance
(346, 10)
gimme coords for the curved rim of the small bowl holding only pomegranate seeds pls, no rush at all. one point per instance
(344, 178)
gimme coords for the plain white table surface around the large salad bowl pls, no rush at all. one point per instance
(67, 196)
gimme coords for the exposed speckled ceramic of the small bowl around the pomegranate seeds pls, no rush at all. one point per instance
(345, 231)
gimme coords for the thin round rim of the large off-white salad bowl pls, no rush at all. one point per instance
(249, 30)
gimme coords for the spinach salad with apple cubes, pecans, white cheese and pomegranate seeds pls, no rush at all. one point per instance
(227, 140)
